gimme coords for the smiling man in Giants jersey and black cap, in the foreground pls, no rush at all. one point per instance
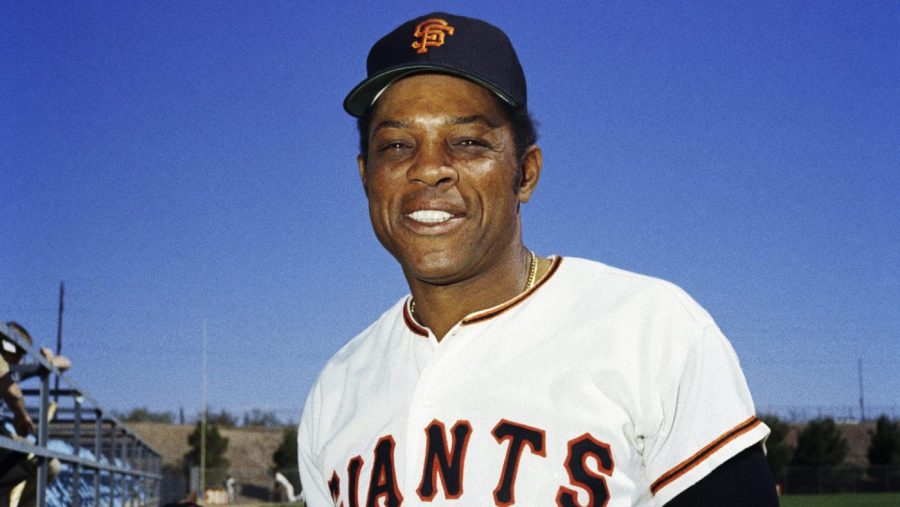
(505, 377)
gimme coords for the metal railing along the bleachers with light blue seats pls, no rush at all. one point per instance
(103, 462)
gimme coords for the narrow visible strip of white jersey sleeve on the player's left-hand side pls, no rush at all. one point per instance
(312, 479)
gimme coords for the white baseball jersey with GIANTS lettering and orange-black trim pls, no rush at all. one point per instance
(596, 387)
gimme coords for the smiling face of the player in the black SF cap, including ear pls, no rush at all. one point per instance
(442, 178)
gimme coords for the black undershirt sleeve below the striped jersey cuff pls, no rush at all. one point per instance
(743, 481)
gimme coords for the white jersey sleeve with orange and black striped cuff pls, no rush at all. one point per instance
(708, 416)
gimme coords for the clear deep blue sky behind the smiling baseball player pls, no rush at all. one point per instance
(179, 163)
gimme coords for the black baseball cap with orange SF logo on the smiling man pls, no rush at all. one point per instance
(440, 42)
